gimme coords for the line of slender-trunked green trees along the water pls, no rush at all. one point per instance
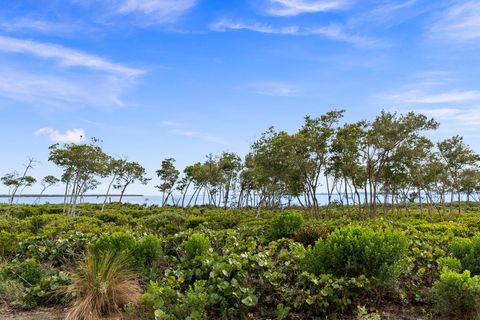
(387, 163)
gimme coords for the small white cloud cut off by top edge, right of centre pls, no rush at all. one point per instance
(297, 7)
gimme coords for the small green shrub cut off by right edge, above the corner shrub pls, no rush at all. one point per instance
(468, 252)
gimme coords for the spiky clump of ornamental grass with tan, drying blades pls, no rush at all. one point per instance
(103, 284)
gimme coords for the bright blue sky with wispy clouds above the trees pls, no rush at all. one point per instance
(183, 78)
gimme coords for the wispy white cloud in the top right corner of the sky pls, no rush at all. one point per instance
(459, 22)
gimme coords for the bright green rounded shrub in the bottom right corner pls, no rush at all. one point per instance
(457, 294)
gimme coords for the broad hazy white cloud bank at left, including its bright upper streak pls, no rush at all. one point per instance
(97, 82)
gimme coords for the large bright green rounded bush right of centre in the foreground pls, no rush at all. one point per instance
(354, 251)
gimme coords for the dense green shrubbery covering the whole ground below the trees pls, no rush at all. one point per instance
(211, 263)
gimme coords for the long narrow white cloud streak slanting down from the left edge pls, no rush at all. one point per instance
(65, 56)
